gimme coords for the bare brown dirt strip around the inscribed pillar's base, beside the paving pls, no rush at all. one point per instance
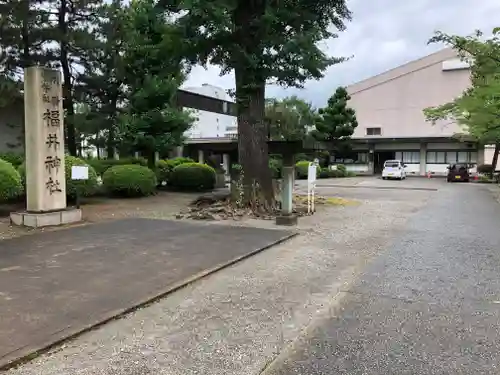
(164, 205)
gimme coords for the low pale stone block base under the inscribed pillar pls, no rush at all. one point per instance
(46, 219)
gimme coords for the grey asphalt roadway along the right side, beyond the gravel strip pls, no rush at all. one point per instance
(429, 305)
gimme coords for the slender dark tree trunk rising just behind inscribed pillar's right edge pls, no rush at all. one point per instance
(68, 104)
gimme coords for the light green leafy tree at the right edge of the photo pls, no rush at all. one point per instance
(478, 108)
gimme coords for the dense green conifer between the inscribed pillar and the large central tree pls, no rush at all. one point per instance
(154, 70)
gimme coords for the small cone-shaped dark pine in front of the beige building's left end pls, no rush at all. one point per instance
(336, 122)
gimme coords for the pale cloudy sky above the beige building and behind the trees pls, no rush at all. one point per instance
(382, 35)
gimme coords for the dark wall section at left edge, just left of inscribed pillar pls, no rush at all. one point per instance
(11, 134)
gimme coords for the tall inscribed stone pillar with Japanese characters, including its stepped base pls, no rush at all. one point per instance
(44, 148)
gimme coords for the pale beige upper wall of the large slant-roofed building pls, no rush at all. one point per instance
(394, 100)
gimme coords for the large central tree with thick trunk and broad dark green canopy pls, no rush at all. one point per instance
(263, 42)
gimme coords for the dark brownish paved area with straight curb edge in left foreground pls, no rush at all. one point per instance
(55, 284)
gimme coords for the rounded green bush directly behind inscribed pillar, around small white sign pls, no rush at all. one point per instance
(85, 188)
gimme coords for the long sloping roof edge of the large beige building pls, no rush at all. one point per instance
(410, 67)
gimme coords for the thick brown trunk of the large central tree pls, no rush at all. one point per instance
(253, 151)
